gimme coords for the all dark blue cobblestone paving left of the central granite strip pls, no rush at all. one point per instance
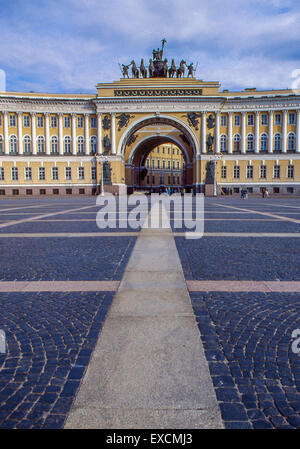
(50, 336)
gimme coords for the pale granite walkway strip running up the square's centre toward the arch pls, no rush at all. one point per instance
(148, 369)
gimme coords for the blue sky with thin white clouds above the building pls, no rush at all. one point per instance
(68, 46)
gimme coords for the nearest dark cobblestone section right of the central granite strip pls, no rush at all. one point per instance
(247, 341)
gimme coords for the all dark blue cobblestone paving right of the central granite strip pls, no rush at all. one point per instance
(247, 337)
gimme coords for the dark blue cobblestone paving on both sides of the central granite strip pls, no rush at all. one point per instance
(247, 336)
